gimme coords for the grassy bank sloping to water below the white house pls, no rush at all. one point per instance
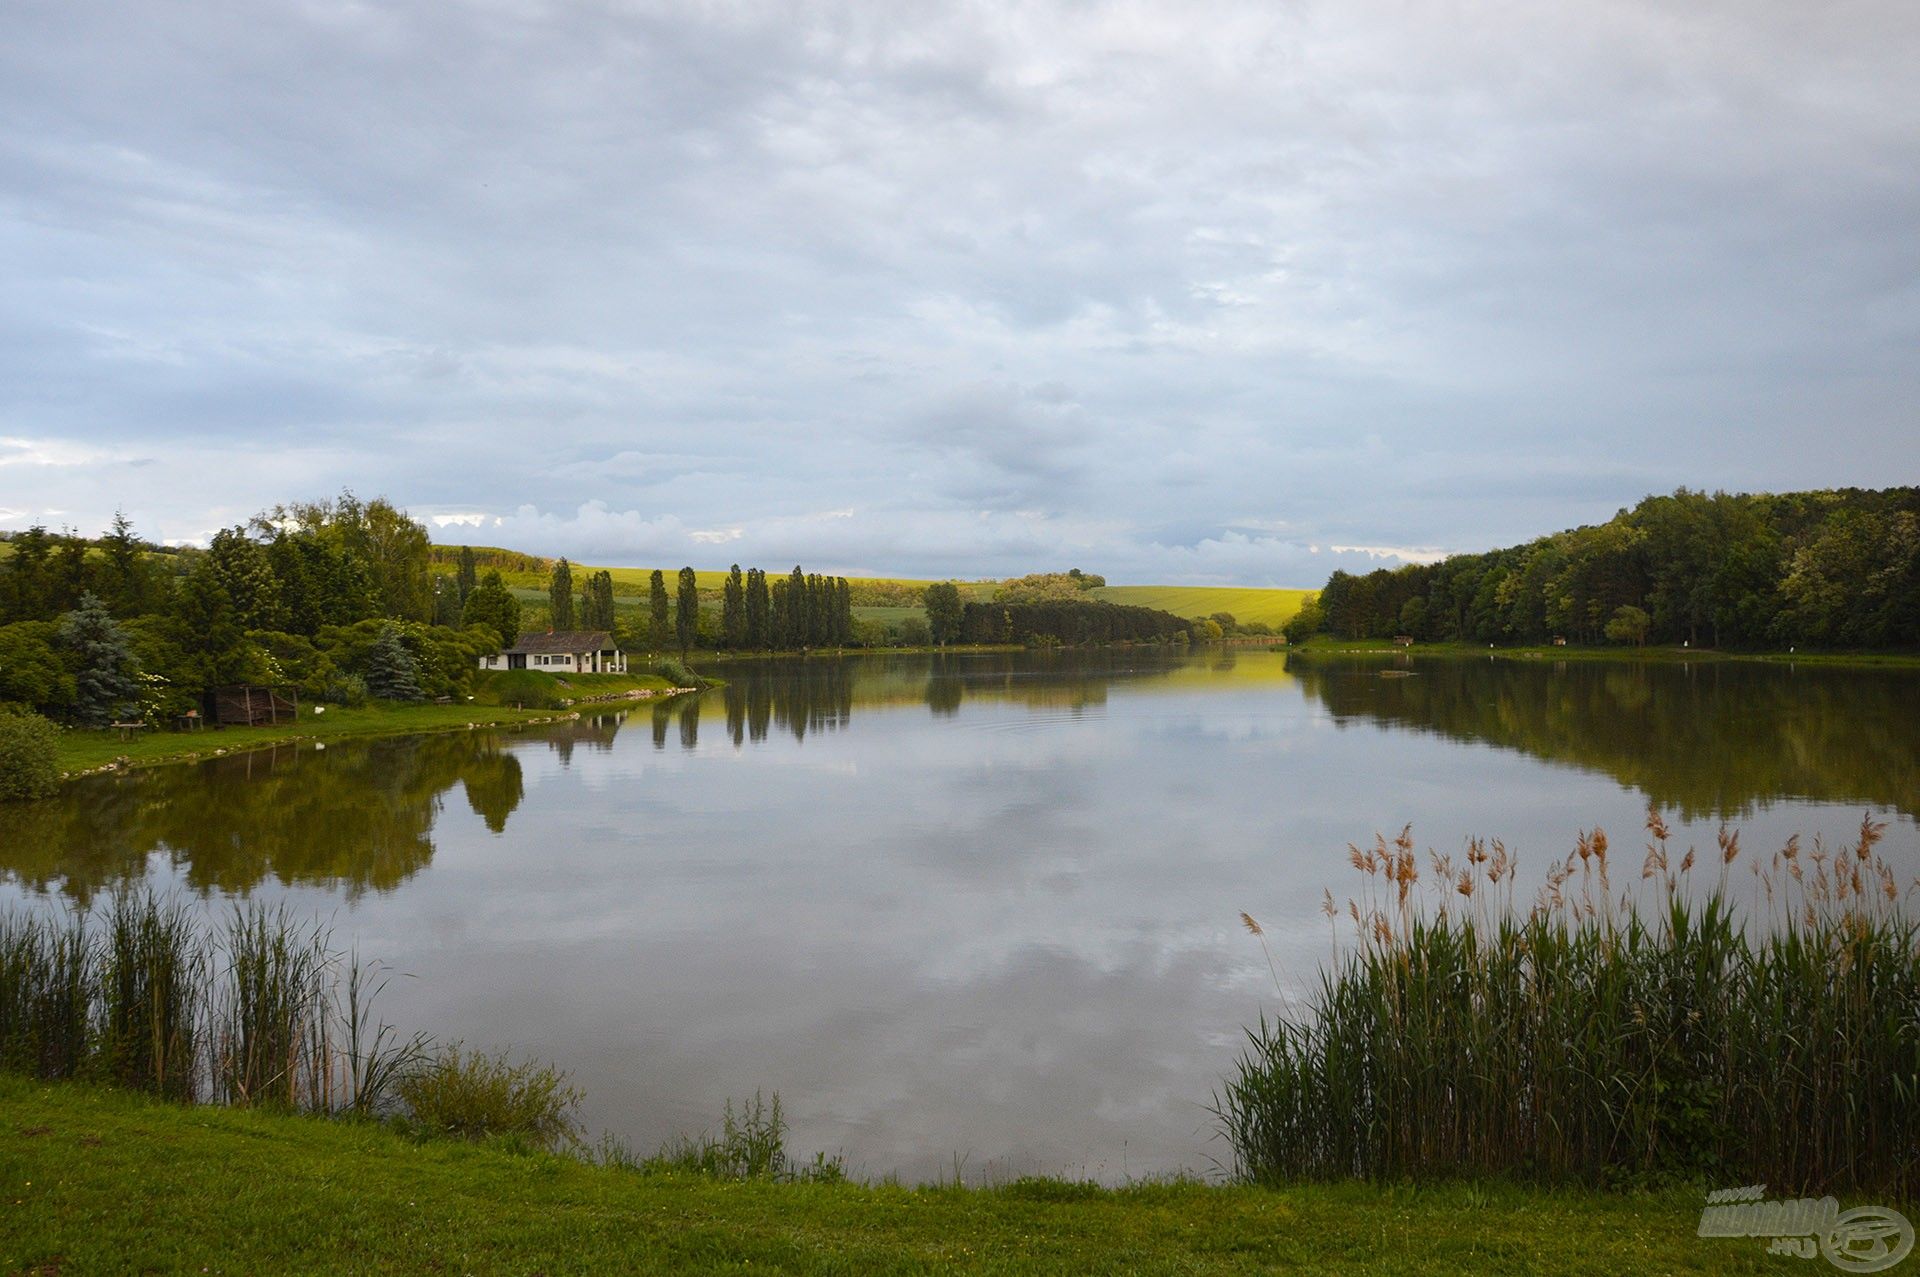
(87, 752)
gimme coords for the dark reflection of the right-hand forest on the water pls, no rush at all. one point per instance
(1708, 740)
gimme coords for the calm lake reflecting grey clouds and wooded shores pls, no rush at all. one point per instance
(969, 913)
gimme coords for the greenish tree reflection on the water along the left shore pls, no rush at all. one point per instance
(354, 817)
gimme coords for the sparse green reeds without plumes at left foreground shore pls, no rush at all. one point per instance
(147, 994)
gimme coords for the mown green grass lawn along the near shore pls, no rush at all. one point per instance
(97, 1182)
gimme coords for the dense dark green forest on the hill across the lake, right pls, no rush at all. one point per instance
(1806, 569)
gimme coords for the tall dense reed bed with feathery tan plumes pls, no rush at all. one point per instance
(1708, 1021)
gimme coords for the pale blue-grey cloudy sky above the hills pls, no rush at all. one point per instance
(1182, 293)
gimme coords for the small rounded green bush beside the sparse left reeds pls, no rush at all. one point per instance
(473, 1096)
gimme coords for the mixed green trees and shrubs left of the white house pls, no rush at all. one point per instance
(333, 598)
